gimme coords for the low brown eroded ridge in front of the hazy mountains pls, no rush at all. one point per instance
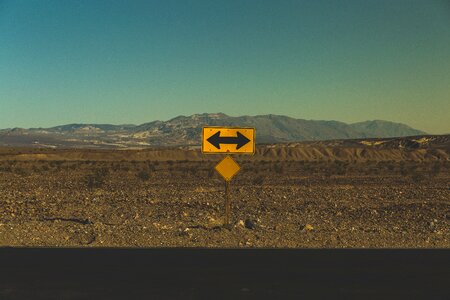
(419, 149)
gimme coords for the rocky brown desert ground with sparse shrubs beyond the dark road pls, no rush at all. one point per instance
(285, 196)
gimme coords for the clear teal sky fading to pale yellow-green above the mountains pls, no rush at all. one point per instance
(131, 62)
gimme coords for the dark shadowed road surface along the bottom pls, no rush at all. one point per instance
(223, 274)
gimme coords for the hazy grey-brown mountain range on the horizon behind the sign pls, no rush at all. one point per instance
(186, 130)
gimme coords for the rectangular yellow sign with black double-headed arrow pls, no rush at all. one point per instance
(232, 140)
